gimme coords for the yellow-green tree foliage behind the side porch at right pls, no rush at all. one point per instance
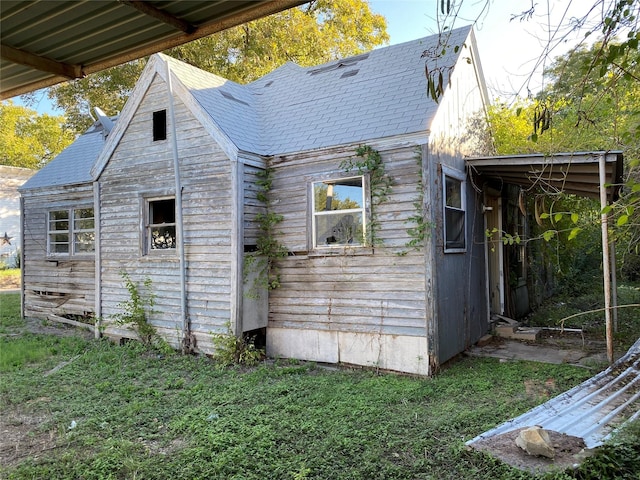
(586, 109)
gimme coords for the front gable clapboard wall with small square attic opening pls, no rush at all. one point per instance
(138, 167)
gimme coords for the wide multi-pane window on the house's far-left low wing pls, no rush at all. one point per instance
(71, 232)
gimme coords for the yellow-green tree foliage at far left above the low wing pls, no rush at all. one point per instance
(30, 140)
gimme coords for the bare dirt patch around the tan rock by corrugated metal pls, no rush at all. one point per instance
(569, 451)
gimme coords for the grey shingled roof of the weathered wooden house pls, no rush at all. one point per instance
(379, 94)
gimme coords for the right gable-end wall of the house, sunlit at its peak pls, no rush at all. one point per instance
(456, 132)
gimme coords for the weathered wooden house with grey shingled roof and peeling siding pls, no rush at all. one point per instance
(367, 193)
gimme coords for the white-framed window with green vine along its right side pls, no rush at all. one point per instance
(339, 217)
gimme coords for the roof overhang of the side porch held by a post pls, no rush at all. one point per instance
(572, 173)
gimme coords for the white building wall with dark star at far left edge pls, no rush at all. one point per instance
(10, 179)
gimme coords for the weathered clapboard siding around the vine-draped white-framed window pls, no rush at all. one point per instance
(378, 292)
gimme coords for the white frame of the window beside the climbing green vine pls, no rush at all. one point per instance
(363, 211)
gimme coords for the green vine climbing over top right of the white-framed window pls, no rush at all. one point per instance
(369, 162)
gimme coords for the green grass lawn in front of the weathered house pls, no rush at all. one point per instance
(122, 412)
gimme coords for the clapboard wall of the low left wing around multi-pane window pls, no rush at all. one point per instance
(60, 286)
